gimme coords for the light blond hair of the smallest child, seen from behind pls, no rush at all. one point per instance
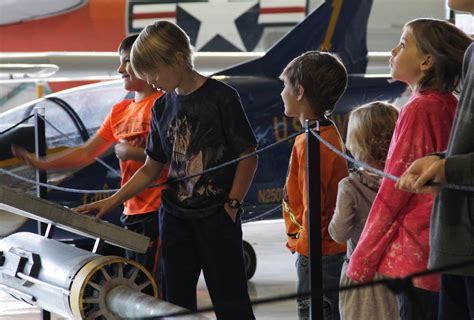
(370, 130)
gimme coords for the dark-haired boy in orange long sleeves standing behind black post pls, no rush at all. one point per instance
(314, 82)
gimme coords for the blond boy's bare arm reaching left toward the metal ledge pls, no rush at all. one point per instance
(148, 173)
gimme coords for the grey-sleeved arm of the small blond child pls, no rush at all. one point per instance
(341, 223)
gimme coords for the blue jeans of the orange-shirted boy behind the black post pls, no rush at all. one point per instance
(332, 266)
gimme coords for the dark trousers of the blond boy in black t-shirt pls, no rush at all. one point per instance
(212, 244)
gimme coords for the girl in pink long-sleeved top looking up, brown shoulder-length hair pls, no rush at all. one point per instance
(394, 241)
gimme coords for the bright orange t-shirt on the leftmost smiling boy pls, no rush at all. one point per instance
(130, 120)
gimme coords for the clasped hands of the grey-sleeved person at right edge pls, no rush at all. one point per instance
(430, 169)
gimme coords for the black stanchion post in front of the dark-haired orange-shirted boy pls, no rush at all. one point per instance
(313, 182)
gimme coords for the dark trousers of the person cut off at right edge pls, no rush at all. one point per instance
(456, 300)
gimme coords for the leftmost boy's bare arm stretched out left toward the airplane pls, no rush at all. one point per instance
(72, 158)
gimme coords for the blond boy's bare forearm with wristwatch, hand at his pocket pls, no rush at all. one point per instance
(242, 180)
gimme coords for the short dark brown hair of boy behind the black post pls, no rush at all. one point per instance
(322, 76)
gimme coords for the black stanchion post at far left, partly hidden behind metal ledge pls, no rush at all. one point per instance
(41, 192)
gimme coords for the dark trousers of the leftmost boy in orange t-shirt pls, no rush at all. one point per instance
(147, 225)
